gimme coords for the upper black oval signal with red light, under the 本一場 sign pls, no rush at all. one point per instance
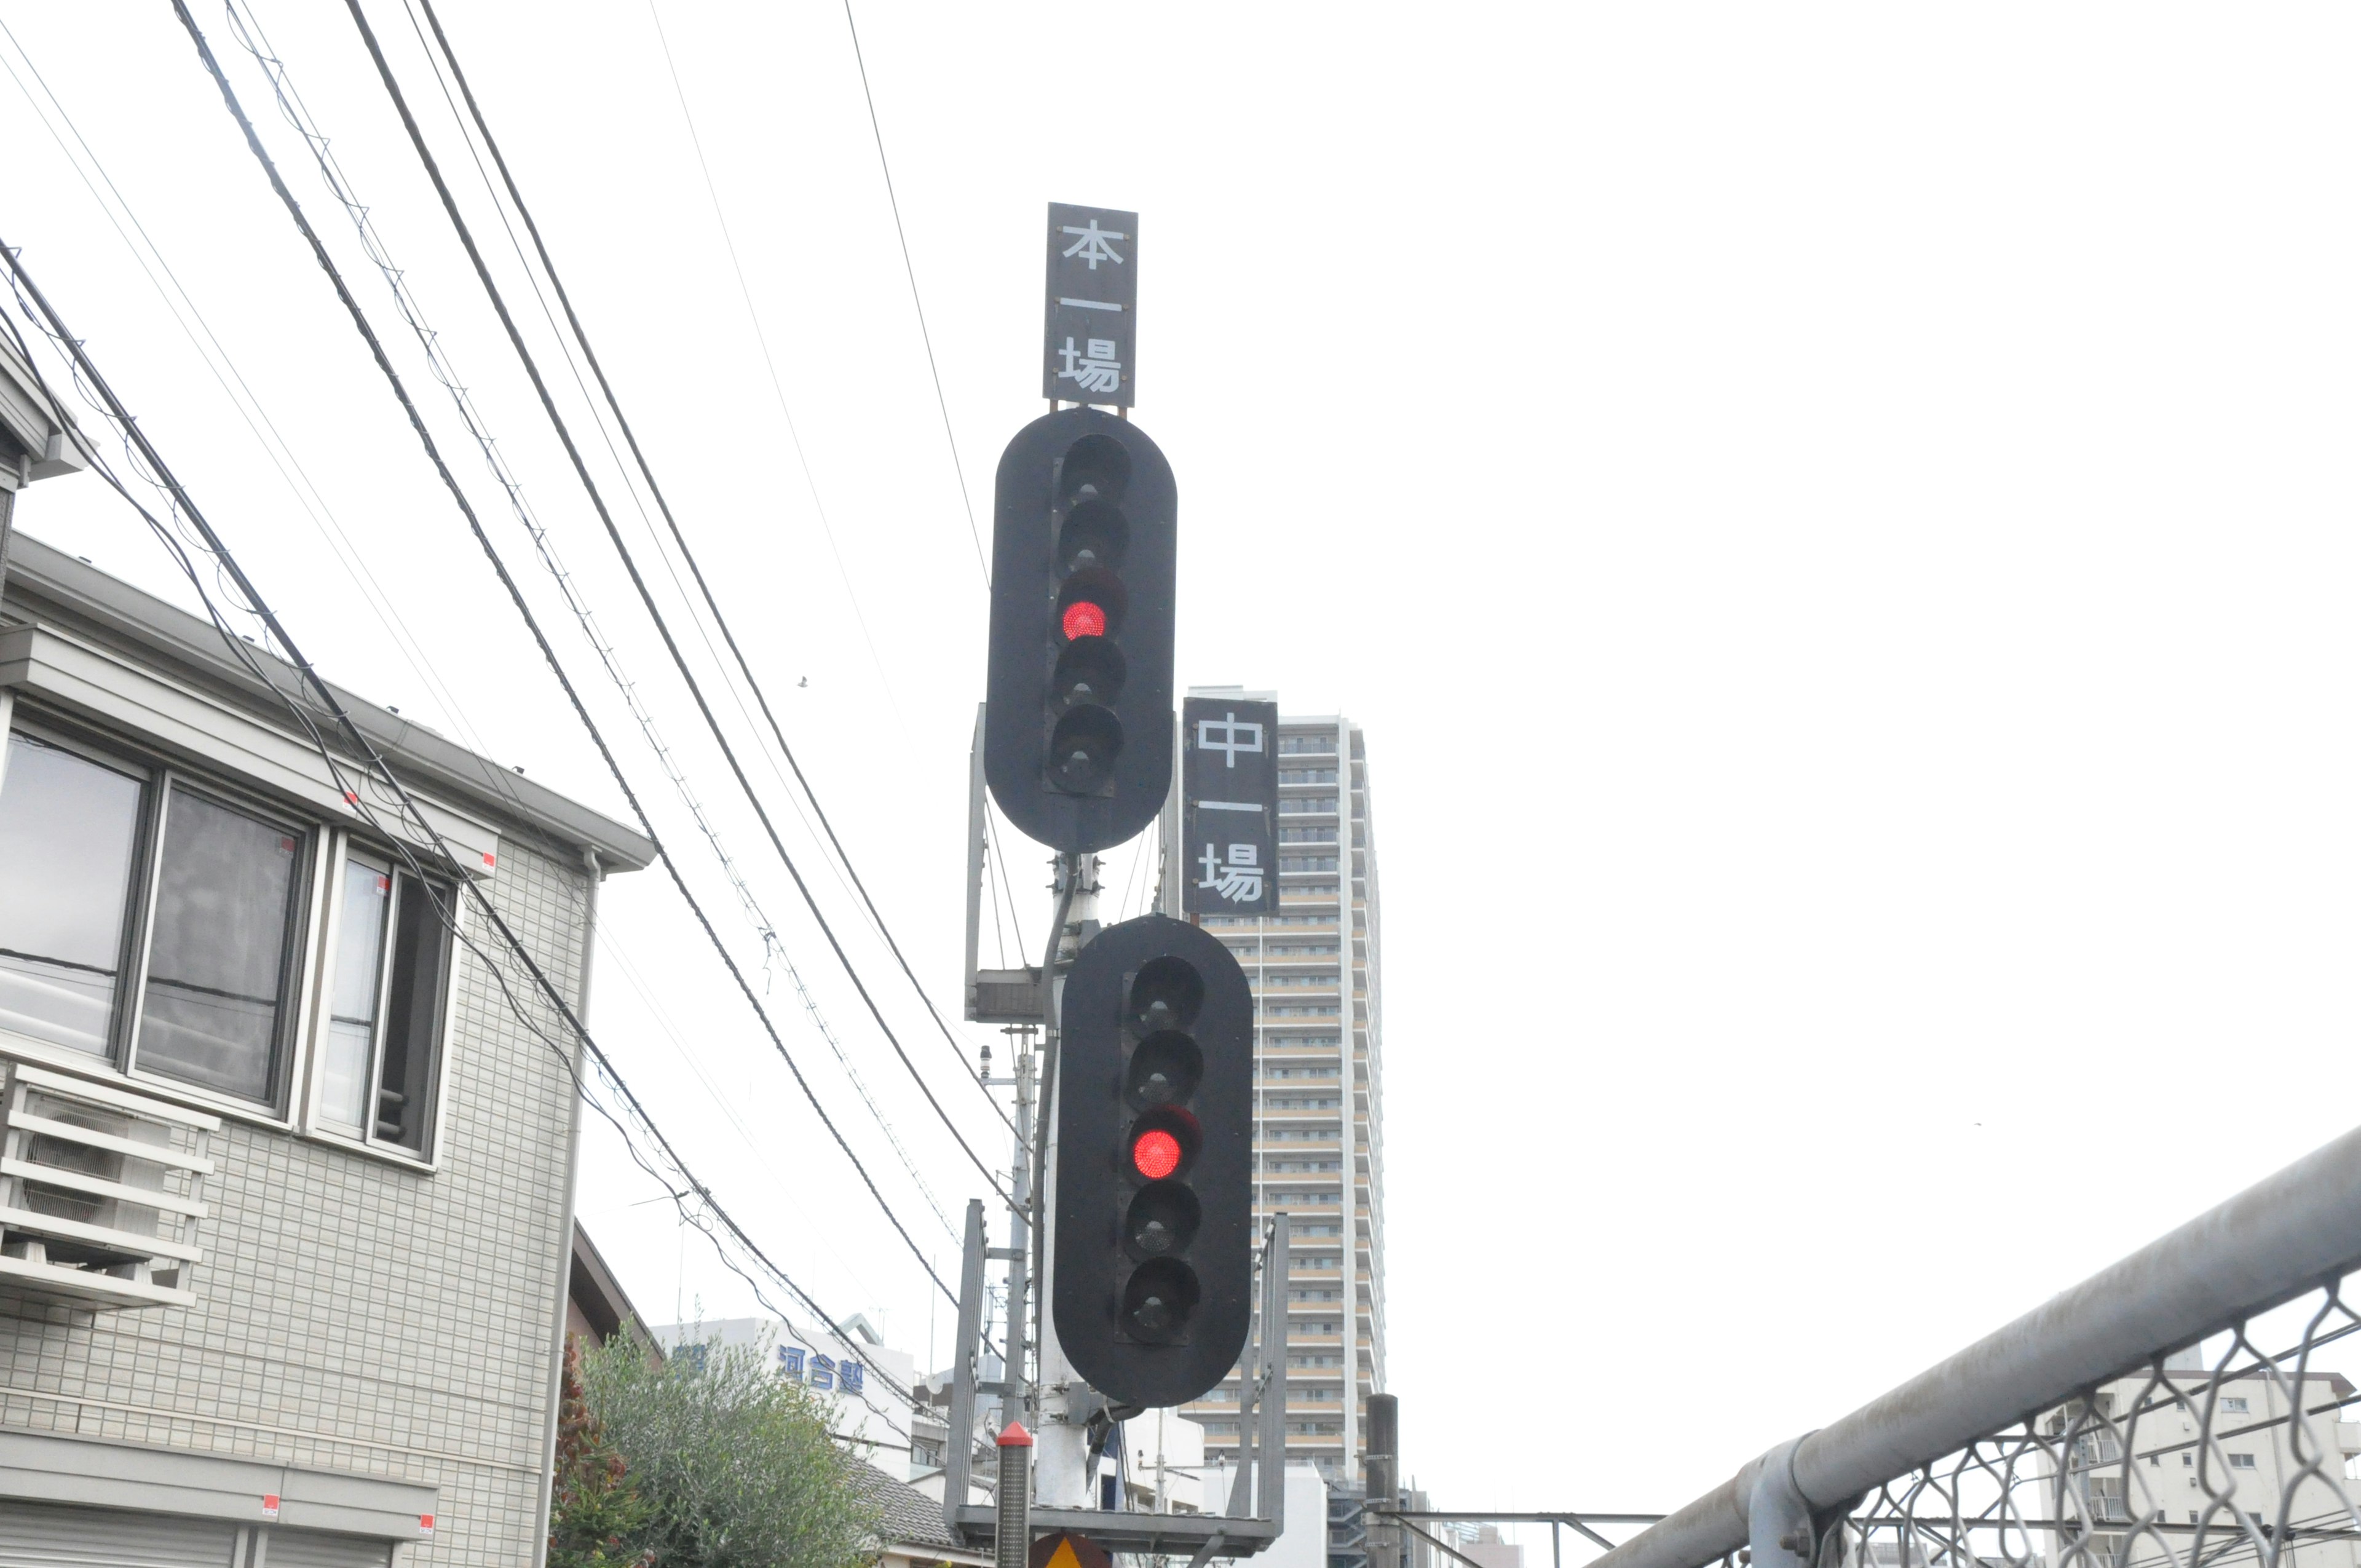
(1080, 700)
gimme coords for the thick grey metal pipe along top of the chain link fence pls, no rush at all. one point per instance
(2268, 1246)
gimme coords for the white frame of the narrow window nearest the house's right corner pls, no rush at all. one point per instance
(315, 1123)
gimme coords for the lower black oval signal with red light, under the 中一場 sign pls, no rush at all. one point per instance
(1156, 1163)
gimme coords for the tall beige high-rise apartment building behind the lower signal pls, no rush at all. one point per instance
(1321, 1109)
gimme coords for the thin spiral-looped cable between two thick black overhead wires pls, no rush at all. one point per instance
(447, 374)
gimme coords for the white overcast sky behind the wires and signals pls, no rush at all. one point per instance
(1838, 525)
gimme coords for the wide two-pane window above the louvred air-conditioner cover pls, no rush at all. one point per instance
(148, 922)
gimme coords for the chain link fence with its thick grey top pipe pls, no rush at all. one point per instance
(2183, 1409)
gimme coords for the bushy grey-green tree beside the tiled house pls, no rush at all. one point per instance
(733, 1461)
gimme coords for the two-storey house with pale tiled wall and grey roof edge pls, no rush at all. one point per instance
(287, 1182)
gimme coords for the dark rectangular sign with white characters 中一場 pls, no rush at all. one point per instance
(1229, 806)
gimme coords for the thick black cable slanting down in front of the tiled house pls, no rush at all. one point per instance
(379, 776)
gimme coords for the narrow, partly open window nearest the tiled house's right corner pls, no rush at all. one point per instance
(386, 1002)
